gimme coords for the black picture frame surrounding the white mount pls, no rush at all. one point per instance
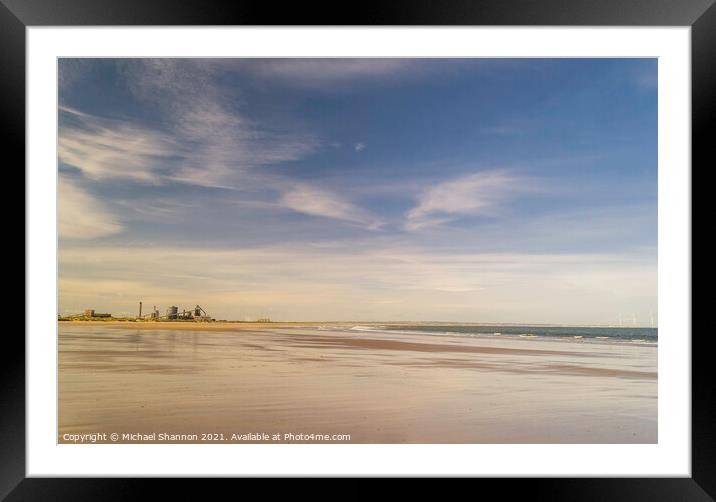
(700, 15)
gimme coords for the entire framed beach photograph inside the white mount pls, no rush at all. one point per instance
(357, 250)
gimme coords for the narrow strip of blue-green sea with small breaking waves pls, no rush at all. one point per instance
(648, 336)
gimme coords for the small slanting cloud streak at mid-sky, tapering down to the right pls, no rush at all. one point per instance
(318, 202)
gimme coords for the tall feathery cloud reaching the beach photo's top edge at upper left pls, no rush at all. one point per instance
(221, 142)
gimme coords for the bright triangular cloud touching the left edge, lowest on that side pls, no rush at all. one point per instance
(80, 216)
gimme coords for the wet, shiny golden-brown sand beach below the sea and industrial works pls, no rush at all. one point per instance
(225, 379)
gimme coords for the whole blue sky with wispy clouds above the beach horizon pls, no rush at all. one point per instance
(465, 190)
